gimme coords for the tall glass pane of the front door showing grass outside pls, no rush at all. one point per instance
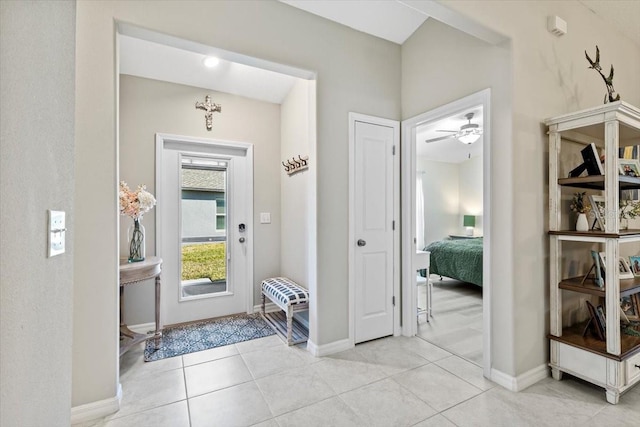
(204, 193)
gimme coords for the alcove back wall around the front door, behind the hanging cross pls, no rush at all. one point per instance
(150, 106)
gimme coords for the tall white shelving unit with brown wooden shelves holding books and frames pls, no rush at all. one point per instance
(613, 364)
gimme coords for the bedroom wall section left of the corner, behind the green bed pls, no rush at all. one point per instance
(440, 186)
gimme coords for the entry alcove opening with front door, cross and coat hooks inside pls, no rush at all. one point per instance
(152, 97)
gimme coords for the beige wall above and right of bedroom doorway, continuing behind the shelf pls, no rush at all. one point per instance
(536, 75)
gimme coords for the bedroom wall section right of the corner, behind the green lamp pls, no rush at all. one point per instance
(470, 173)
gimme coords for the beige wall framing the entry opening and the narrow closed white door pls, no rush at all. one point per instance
(356, 72)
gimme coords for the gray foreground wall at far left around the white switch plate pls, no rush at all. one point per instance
(37, 48)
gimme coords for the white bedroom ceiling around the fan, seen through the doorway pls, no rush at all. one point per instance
(449, 150)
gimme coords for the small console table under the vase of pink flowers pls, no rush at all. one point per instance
(135, 272)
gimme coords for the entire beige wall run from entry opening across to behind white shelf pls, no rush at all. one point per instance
(358, 73)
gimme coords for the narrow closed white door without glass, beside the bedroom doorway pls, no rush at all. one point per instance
(374, 229)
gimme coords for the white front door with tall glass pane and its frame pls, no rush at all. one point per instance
(204, 227)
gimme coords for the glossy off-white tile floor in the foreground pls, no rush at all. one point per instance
(395, 381)
